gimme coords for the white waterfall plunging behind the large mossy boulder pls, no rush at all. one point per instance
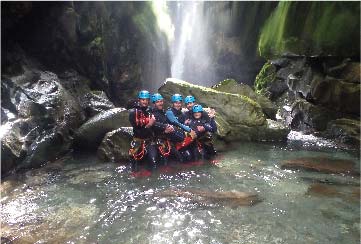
(190, 52)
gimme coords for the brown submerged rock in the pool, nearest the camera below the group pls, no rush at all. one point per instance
(232, 199)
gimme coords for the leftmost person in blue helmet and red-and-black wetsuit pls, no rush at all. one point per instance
(143, 144)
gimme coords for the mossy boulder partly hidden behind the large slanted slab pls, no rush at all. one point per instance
(232, 86)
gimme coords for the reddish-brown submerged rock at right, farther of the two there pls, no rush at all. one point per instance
(323, 165)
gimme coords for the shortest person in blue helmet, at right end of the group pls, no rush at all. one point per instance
(204, 127)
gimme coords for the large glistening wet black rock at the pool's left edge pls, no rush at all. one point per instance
(47, 117)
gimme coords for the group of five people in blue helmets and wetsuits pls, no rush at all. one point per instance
(159, 135)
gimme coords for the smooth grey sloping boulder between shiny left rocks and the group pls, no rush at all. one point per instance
(91, 133)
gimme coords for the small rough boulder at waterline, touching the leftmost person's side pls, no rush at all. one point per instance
(115, 145)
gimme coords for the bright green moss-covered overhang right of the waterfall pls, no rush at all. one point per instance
(312, 28)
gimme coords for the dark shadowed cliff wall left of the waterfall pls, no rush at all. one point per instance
(114, 44)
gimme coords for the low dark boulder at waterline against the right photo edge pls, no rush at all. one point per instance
(345, 130)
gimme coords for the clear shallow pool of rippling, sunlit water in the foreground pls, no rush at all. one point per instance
(79, 200)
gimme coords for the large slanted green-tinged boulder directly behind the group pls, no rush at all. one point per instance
(238, 117)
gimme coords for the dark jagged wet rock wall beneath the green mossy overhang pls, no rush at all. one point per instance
(314, 91)
